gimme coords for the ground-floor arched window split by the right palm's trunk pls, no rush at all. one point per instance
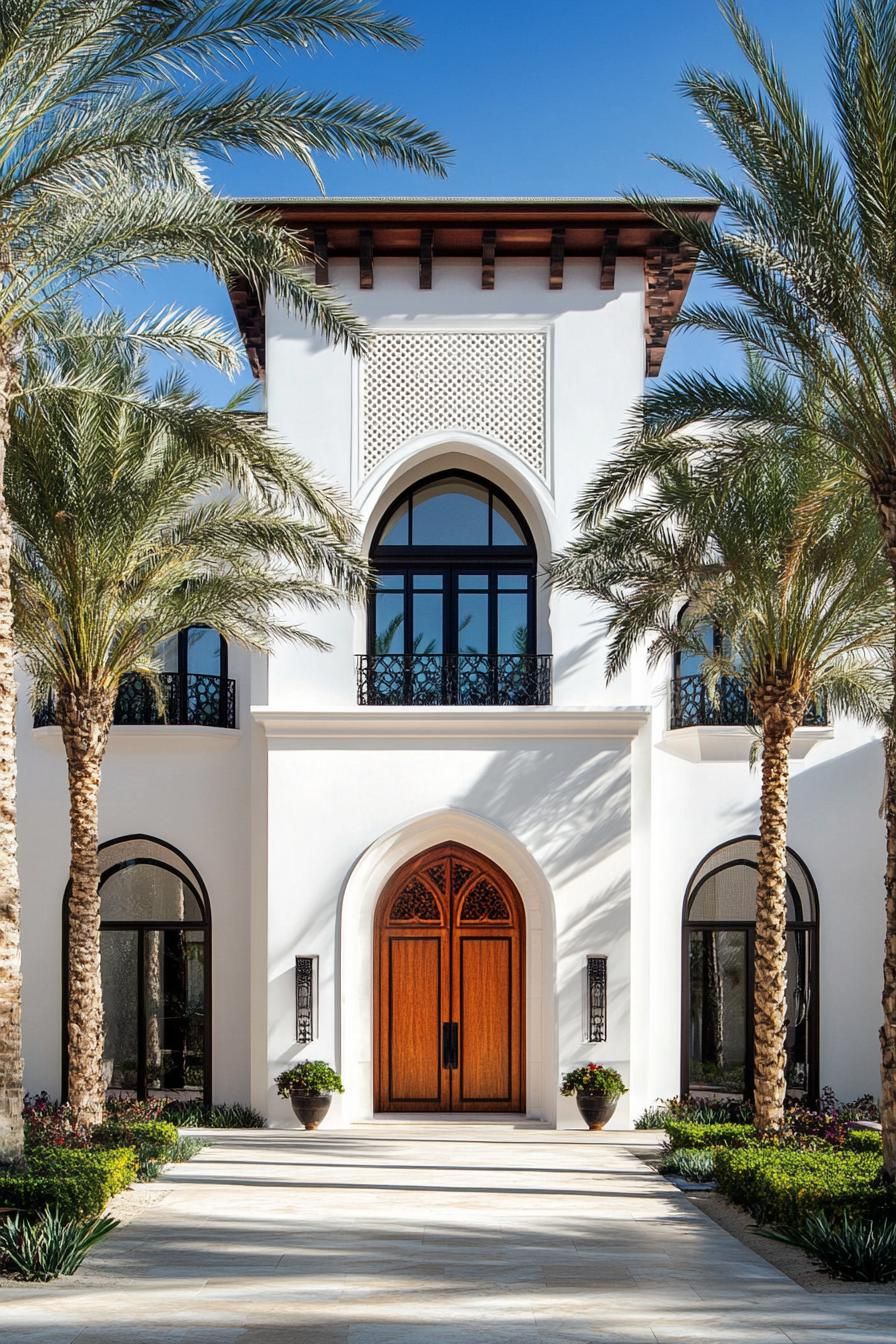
(718, 974)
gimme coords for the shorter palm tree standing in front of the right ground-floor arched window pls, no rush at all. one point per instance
(799, 589)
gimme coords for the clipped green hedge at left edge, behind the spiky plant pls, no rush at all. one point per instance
(79, 1182)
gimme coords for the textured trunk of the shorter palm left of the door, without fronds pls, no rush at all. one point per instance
(85, 718)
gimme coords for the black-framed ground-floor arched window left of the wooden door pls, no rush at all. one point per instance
(156, 971)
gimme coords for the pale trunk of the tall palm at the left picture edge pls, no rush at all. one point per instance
(11, 1065)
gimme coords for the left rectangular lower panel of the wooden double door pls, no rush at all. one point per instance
(416, 1021)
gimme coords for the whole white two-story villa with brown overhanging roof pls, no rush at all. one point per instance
(449, 857)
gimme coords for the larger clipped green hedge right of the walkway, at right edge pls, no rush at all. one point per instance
(787, 1185)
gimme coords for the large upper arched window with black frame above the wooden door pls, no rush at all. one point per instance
(452, 619)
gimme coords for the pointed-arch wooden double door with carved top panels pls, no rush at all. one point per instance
(449, 987)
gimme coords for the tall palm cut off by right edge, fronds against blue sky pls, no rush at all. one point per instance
(805, 245)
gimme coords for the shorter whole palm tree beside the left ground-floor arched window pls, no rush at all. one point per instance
(135, 515)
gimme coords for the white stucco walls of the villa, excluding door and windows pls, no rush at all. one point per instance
(592, 806)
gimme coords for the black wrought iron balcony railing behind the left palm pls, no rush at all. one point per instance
(198, 700)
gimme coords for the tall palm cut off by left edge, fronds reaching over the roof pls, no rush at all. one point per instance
(109, 111)
